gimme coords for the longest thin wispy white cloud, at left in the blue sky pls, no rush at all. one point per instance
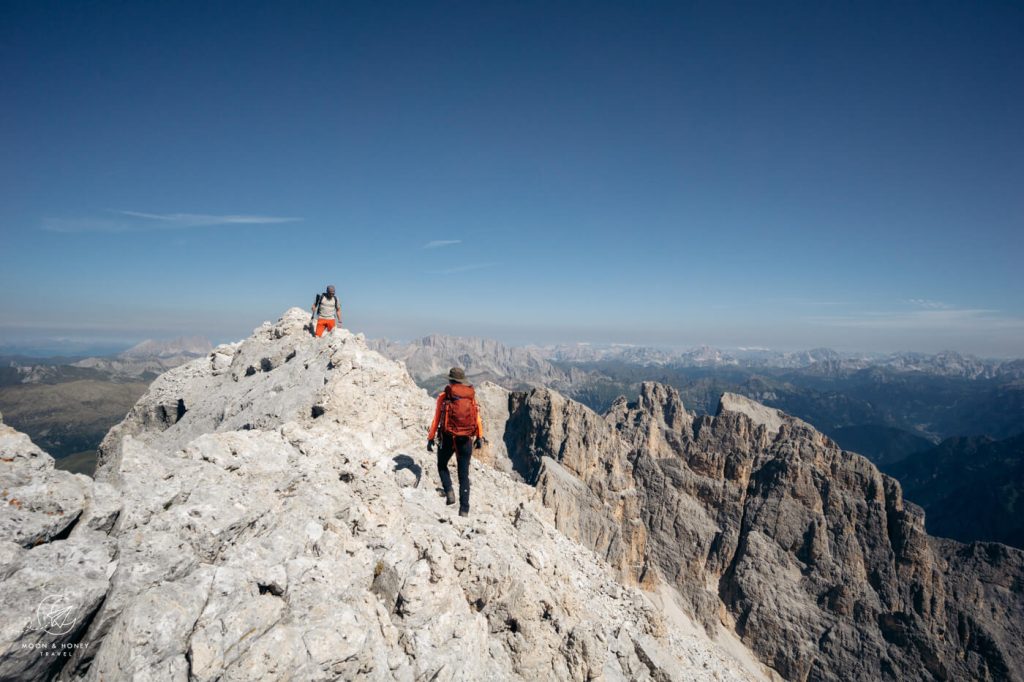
(138, 222)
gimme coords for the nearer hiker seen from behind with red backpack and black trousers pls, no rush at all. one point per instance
(458, 419)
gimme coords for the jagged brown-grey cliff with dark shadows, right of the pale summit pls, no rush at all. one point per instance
(764, 524)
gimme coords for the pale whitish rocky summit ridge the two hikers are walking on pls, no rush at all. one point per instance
(270, 513)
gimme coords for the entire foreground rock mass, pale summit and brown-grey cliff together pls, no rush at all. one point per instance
(269, 513)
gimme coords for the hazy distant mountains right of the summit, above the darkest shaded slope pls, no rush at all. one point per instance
(899, 396)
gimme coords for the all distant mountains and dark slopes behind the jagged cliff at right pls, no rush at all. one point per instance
(893, 409)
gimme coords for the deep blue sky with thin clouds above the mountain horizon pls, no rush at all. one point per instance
(777, 175)
